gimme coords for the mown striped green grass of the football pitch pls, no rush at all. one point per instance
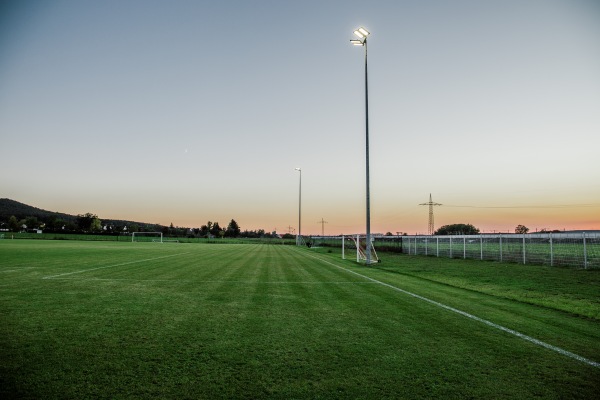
(128, 320)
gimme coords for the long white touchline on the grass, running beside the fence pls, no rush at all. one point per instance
(473, 317)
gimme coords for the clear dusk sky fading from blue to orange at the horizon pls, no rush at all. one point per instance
(186, 112)
